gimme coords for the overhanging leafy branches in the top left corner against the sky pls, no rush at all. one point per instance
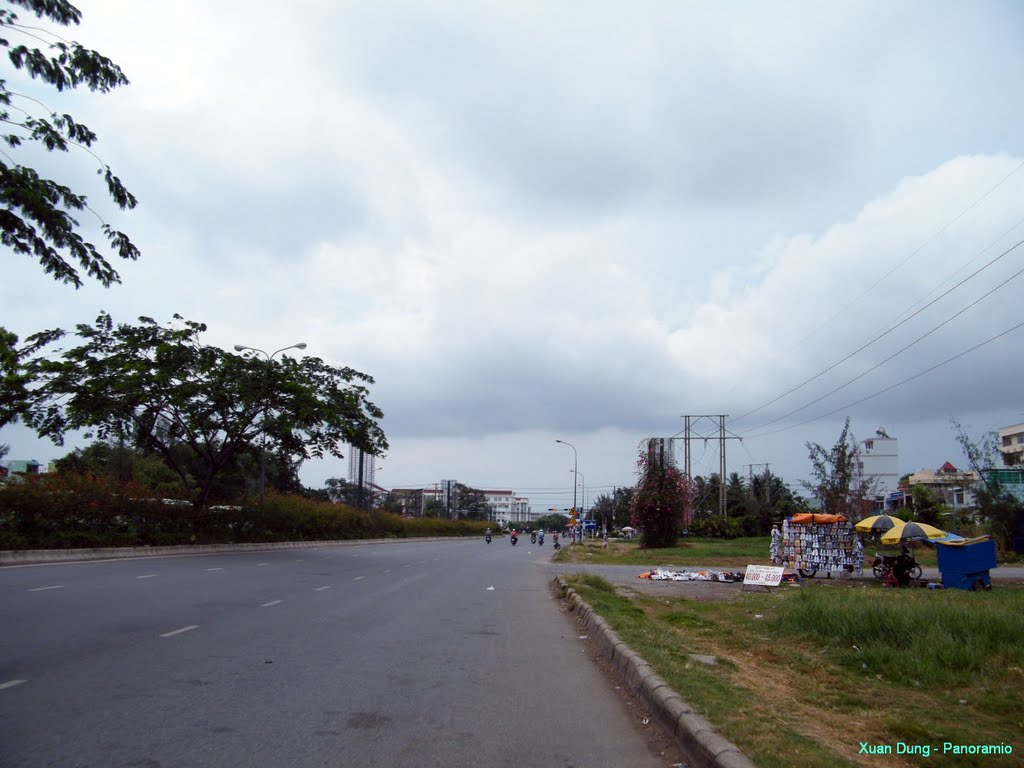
(38, 215)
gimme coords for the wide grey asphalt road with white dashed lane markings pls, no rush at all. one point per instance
(440, 654)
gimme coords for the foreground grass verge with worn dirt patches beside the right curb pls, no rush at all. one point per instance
(807, 673)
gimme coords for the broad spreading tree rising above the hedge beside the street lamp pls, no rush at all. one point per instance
(198, 408)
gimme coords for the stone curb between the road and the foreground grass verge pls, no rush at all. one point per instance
(695, 736)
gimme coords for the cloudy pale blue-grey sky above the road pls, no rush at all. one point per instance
(533, 223)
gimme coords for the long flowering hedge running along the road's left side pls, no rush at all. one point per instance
(61, 511)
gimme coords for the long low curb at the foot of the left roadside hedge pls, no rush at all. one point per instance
(42, 557)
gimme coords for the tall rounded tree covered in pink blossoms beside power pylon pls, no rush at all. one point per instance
(662, 502)
